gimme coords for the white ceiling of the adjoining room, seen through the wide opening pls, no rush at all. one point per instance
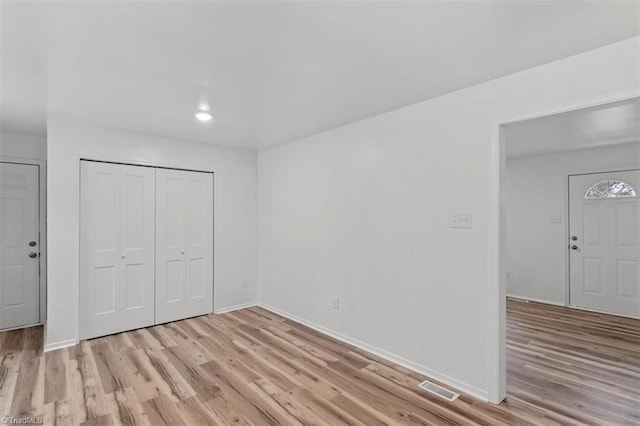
(604, 125)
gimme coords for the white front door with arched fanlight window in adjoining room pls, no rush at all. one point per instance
(605, 242)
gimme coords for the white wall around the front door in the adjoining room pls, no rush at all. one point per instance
(537, 191)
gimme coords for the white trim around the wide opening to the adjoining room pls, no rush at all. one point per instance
(496, 244)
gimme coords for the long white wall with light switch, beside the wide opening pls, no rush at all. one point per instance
(361, 212)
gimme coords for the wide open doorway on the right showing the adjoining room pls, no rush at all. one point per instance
(570, 253)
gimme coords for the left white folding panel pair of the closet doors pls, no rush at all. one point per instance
(117, 248)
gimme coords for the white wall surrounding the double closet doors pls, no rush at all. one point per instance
(234, 212)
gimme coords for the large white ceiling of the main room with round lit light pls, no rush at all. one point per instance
(273, 71)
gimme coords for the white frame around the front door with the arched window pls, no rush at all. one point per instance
(567, 223)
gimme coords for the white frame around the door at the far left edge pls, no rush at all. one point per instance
(42, 225)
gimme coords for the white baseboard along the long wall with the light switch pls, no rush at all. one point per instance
(450, 381)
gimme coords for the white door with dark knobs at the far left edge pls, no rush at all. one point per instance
(19, 246)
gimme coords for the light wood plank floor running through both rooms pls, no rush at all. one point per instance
(253, 367)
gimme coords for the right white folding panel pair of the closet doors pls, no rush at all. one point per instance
(184, 244)
